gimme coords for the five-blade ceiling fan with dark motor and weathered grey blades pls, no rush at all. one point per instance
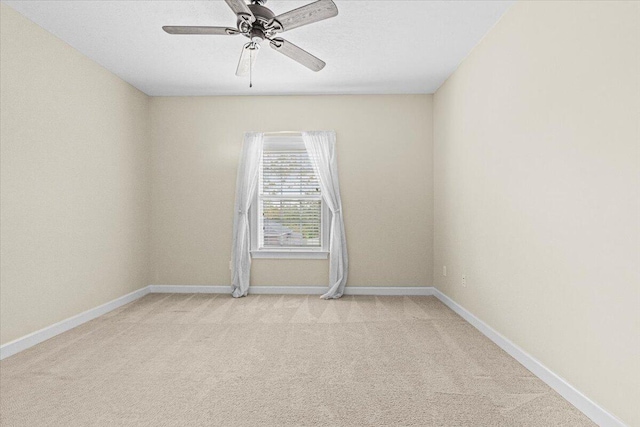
(259, 23)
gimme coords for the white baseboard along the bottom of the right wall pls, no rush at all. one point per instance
(588, 407)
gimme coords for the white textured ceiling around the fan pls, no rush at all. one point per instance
(371, 47)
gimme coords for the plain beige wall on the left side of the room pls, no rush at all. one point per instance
(74, 184)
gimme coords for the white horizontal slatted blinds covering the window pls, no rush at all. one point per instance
(289, 200)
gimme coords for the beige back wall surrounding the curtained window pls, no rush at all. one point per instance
(384, 146)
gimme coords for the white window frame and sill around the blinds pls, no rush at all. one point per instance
(287, 141)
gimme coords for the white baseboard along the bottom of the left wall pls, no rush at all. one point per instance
(23, 343)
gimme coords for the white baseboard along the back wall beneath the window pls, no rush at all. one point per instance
(295, 290)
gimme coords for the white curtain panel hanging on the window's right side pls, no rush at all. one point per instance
(321, 147)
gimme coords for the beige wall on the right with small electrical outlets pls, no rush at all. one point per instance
(537, 191)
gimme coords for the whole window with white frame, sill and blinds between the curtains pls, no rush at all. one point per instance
(289, 217)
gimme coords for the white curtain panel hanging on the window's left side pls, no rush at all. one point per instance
(246, 187)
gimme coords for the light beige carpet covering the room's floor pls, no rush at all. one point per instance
(267, 360)
